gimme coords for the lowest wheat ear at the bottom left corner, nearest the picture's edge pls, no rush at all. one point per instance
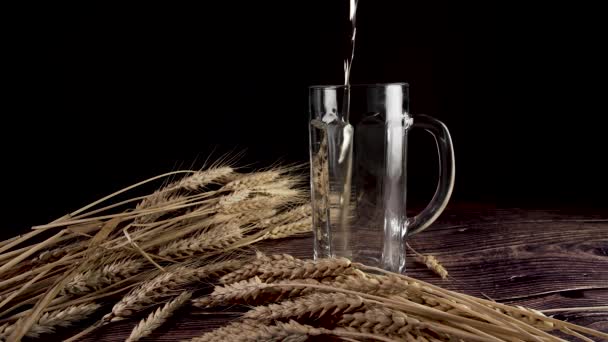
(49, 321)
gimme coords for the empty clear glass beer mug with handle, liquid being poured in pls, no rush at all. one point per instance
(358, 172)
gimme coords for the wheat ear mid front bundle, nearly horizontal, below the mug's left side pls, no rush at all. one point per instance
(314, 305)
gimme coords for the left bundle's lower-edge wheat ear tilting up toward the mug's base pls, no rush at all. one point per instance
(214, 239)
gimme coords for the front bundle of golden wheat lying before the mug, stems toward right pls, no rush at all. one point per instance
(291, 299)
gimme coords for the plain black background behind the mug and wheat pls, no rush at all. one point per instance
(109, 95)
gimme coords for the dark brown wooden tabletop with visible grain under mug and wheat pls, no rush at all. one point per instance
(543, 259)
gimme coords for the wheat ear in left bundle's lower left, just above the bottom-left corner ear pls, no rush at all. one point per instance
(96, 279)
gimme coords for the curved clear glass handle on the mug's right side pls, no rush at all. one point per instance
(447, 171)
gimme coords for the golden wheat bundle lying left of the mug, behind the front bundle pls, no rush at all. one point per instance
(137, 254)
